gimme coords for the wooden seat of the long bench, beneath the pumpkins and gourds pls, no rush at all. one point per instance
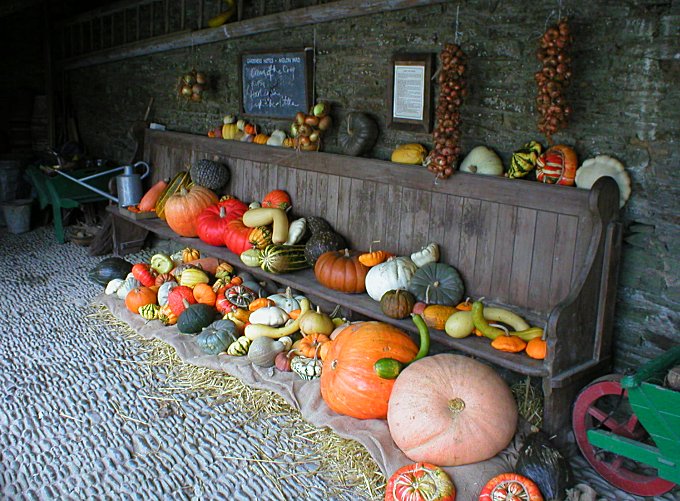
(362, 304)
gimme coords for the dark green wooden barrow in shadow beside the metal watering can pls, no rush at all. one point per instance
(63, 193)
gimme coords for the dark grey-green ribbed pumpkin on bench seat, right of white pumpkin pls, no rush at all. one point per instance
(437, 283)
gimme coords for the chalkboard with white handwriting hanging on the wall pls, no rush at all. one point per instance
(275, 84)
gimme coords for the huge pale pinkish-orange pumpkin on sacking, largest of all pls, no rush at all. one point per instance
(451, 410)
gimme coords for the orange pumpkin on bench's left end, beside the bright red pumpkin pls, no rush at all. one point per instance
(183, 208)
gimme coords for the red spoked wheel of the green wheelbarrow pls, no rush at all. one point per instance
(604, 404)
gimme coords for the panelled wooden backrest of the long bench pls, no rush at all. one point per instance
(514, 242)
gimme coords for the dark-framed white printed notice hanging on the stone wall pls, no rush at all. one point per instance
(410, 93)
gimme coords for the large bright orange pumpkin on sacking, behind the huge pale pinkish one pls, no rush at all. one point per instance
(349, 384)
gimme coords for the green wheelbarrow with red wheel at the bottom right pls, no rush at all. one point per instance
(628, 428)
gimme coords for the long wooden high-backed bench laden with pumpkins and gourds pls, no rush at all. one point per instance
(547, 252)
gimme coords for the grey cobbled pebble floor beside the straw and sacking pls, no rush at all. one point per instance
(67, 380)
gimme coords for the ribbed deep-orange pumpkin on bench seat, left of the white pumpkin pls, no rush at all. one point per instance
(341, 271)
